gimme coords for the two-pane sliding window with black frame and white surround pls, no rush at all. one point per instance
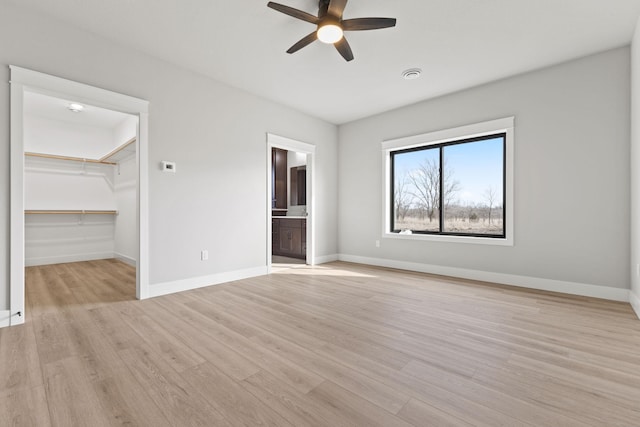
(455, 183)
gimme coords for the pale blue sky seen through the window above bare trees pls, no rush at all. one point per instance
(476, 166)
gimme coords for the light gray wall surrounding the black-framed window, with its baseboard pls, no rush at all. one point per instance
(571, 179)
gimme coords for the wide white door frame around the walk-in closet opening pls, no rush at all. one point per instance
(22, 80)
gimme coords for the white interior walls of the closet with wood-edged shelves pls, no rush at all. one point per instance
(63, 196)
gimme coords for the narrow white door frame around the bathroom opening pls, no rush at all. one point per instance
(276, 141)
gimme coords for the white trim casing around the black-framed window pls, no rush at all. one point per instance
(505, 125)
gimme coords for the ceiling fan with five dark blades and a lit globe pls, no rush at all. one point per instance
(331, 26)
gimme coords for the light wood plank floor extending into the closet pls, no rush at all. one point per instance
(335, 345)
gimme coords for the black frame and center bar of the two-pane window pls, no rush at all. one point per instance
(441, 210)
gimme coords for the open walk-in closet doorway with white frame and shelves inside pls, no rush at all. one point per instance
(78, 190)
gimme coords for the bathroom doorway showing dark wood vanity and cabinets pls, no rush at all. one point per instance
(290, 192)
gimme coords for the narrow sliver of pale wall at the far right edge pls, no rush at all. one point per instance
(635, 170)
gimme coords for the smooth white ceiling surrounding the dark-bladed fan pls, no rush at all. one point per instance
(457, 43)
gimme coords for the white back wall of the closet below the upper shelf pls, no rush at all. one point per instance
(63, 185)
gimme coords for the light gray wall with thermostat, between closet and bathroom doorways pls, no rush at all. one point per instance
(215, 133)
